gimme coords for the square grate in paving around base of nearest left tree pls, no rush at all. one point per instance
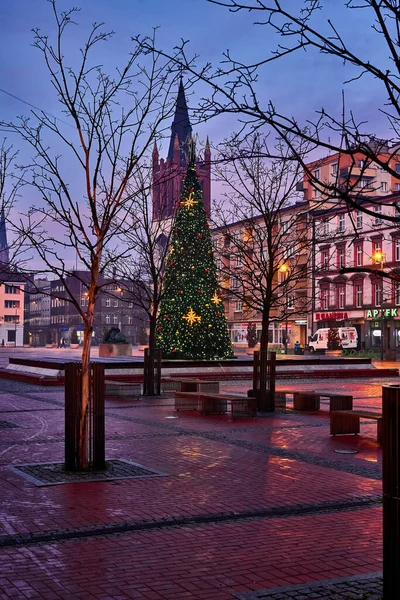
(43, 474)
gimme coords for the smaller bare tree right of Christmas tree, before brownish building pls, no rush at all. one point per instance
(264, 257)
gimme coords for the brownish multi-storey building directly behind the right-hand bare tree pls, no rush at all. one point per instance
(243, 263)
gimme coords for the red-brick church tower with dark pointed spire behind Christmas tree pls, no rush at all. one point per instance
(169, 173)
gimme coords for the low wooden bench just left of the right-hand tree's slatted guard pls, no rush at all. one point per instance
(216, 404)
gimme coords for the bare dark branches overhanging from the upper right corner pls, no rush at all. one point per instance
(302, 26)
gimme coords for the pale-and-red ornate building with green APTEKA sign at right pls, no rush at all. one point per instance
(365, 246)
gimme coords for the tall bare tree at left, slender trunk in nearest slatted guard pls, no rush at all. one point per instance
(83, 188)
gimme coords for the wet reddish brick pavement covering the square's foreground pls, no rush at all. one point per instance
(245, 507)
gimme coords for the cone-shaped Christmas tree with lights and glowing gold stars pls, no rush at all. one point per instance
(192, 322)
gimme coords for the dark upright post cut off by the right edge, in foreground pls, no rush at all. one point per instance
(391, 490)
